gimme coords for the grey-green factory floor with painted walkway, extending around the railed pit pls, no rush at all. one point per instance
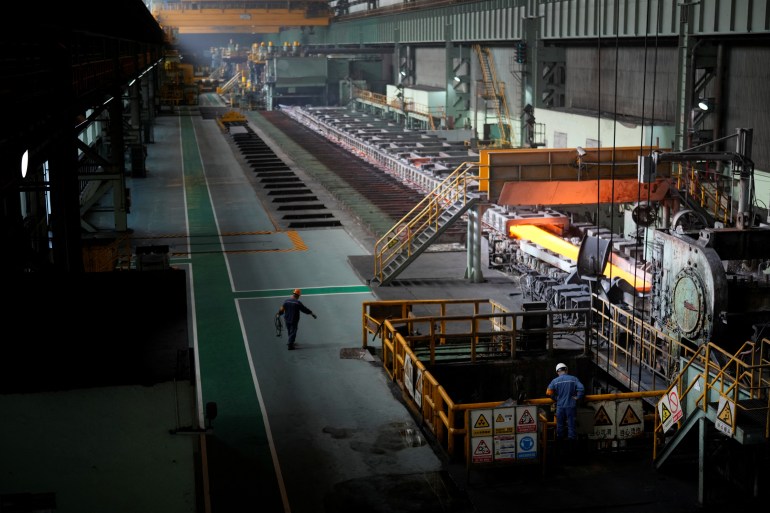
(311, 431)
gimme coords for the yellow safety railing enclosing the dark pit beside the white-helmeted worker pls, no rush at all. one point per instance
(474, 329)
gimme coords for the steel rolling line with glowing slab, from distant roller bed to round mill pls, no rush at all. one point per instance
(662, 230)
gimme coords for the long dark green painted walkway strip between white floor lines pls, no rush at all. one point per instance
(240, 460)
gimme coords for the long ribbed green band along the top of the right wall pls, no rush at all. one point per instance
(502, 20)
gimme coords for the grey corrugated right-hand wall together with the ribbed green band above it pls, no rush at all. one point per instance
(644, 83)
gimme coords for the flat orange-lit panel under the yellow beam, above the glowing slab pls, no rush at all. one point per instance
(563, 192)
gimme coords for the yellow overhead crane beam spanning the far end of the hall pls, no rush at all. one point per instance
(253, 17)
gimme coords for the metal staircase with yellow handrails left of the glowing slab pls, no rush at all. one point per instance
(424, 224)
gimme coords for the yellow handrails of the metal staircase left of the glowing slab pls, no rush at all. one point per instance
(424, 216)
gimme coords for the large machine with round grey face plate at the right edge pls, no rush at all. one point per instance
(712, 284)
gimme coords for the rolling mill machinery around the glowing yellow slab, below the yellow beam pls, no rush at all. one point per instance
(701, 275)
